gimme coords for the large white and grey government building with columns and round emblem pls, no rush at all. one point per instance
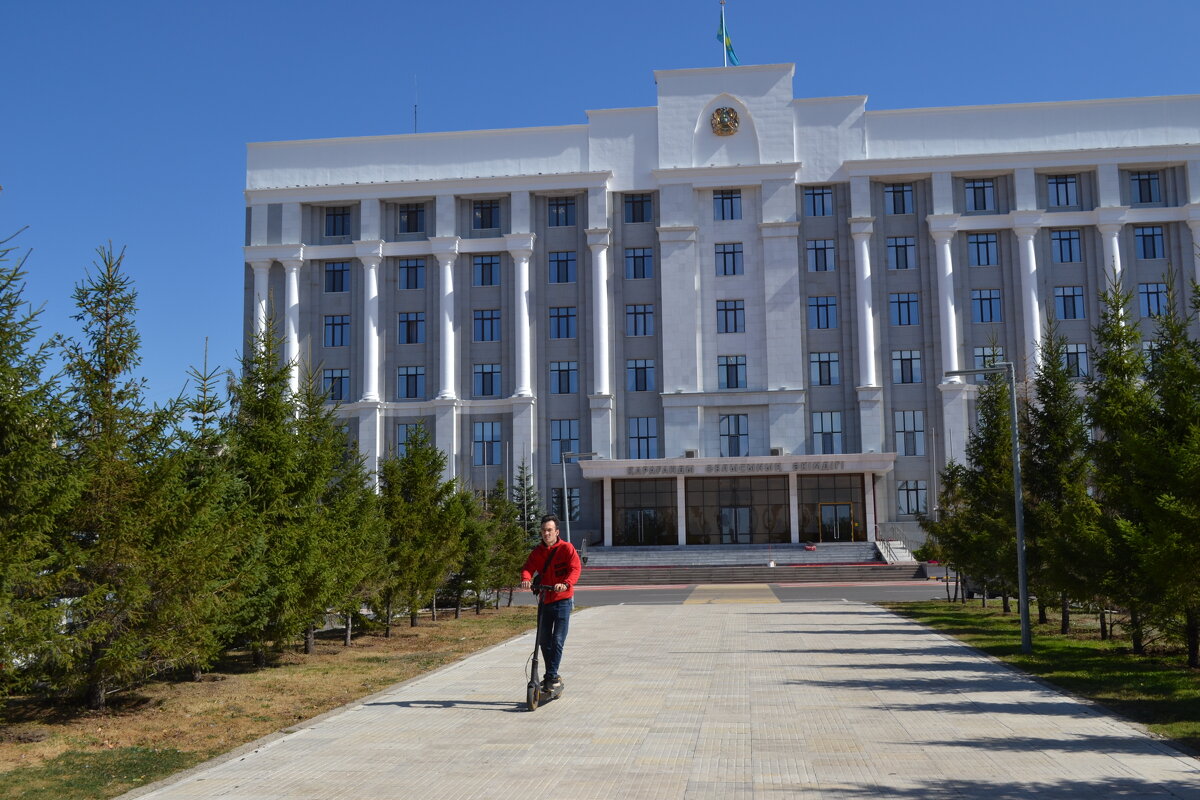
(741, 304)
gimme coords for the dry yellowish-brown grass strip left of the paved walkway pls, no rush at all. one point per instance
(67, 754)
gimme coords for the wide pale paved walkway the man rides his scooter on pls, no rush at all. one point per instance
(729, 696)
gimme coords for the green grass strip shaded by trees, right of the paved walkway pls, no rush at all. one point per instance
(1157, 690)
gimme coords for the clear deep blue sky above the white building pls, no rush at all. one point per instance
(128, 121)
